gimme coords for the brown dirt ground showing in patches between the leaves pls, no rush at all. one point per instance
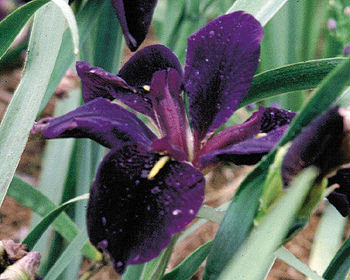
(15, 219)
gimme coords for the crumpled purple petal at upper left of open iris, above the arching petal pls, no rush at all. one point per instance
(97, 82)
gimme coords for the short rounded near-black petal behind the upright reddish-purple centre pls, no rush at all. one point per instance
(139, 69)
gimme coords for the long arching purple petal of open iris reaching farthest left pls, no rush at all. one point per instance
(107, 123)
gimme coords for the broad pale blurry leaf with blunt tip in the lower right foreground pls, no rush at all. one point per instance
(265, 239)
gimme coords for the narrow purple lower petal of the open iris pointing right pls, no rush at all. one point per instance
(246, 152)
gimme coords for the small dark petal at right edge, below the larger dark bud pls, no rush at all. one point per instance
(340, 197)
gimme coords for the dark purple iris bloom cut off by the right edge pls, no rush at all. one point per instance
(325, 144)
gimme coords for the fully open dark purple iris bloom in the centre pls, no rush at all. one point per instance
(149, 187)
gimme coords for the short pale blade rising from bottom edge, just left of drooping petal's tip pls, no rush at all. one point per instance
(67, 256)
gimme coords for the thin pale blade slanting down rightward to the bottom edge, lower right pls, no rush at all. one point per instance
(283, 254)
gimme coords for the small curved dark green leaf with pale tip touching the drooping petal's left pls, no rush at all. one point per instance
(40, 228)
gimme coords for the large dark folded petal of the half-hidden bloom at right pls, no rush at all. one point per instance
(319, 144)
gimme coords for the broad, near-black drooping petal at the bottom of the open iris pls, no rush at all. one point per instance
(132, 217)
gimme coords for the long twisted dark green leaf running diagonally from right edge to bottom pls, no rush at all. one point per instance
(238, 220)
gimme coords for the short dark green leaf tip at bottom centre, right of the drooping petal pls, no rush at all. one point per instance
(189, 266)
